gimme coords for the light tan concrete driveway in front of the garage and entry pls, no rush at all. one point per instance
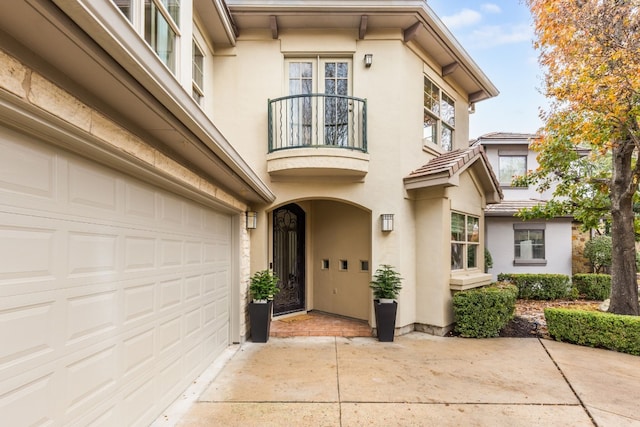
(418, 380)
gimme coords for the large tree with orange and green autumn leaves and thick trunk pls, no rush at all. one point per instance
(590, 50)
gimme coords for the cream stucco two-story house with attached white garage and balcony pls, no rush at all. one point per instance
(138, 140)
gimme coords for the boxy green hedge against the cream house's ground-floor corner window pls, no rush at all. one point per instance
(483, 312)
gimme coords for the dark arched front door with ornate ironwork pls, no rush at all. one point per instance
(288, 258)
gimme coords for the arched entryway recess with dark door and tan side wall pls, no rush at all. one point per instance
(322, 252)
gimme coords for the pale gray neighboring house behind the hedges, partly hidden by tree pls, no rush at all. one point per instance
(517, 246)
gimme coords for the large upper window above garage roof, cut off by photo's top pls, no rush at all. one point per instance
(161, 25)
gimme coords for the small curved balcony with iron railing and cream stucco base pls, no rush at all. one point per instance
(318, 135)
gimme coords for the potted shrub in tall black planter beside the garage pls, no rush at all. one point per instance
(263, 286)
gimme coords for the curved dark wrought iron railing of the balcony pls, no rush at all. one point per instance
(318, 120)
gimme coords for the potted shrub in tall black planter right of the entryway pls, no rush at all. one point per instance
(386, 287)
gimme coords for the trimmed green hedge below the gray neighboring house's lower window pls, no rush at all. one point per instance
(539, 286)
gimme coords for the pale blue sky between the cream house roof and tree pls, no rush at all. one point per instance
(498, 35)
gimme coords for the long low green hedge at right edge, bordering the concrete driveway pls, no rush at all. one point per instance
(595, 329)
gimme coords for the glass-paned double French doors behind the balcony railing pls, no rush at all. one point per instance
(319, 120)
